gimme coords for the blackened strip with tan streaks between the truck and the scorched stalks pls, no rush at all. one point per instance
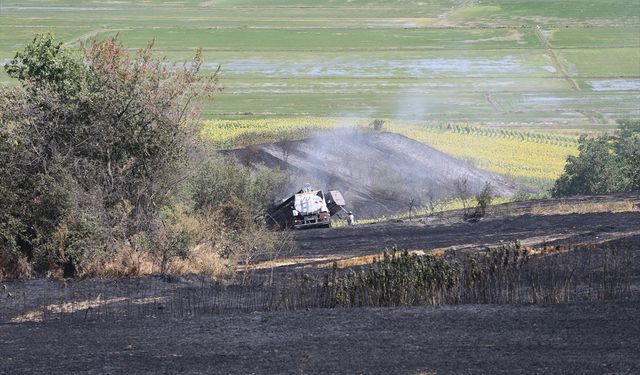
(451, 232)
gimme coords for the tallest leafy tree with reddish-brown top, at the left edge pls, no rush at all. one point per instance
(101, 134)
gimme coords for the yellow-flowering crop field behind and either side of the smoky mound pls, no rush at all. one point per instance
(531, 157)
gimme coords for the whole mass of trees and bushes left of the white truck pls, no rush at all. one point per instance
(100, 154)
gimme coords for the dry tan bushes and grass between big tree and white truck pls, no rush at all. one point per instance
(212, 243)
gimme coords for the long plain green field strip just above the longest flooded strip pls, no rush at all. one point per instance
(328, 39)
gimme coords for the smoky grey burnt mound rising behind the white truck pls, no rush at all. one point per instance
(378, 173)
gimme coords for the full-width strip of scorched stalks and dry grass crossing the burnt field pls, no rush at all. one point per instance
(510, 274)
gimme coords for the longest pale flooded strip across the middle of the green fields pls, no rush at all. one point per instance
(378, 68)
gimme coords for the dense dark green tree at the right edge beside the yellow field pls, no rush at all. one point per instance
(605, 164)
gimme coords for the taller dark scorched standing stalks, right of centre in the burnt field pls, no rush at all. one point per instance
(511, 274)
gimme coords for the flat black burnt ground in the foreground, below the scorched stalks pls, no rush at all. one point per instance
(570, 338)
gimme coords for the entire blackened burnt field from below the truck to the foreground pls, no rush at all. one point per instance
(588, 324)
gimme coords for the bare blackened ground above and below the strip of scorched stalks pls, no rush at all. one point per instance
(585, 337)
